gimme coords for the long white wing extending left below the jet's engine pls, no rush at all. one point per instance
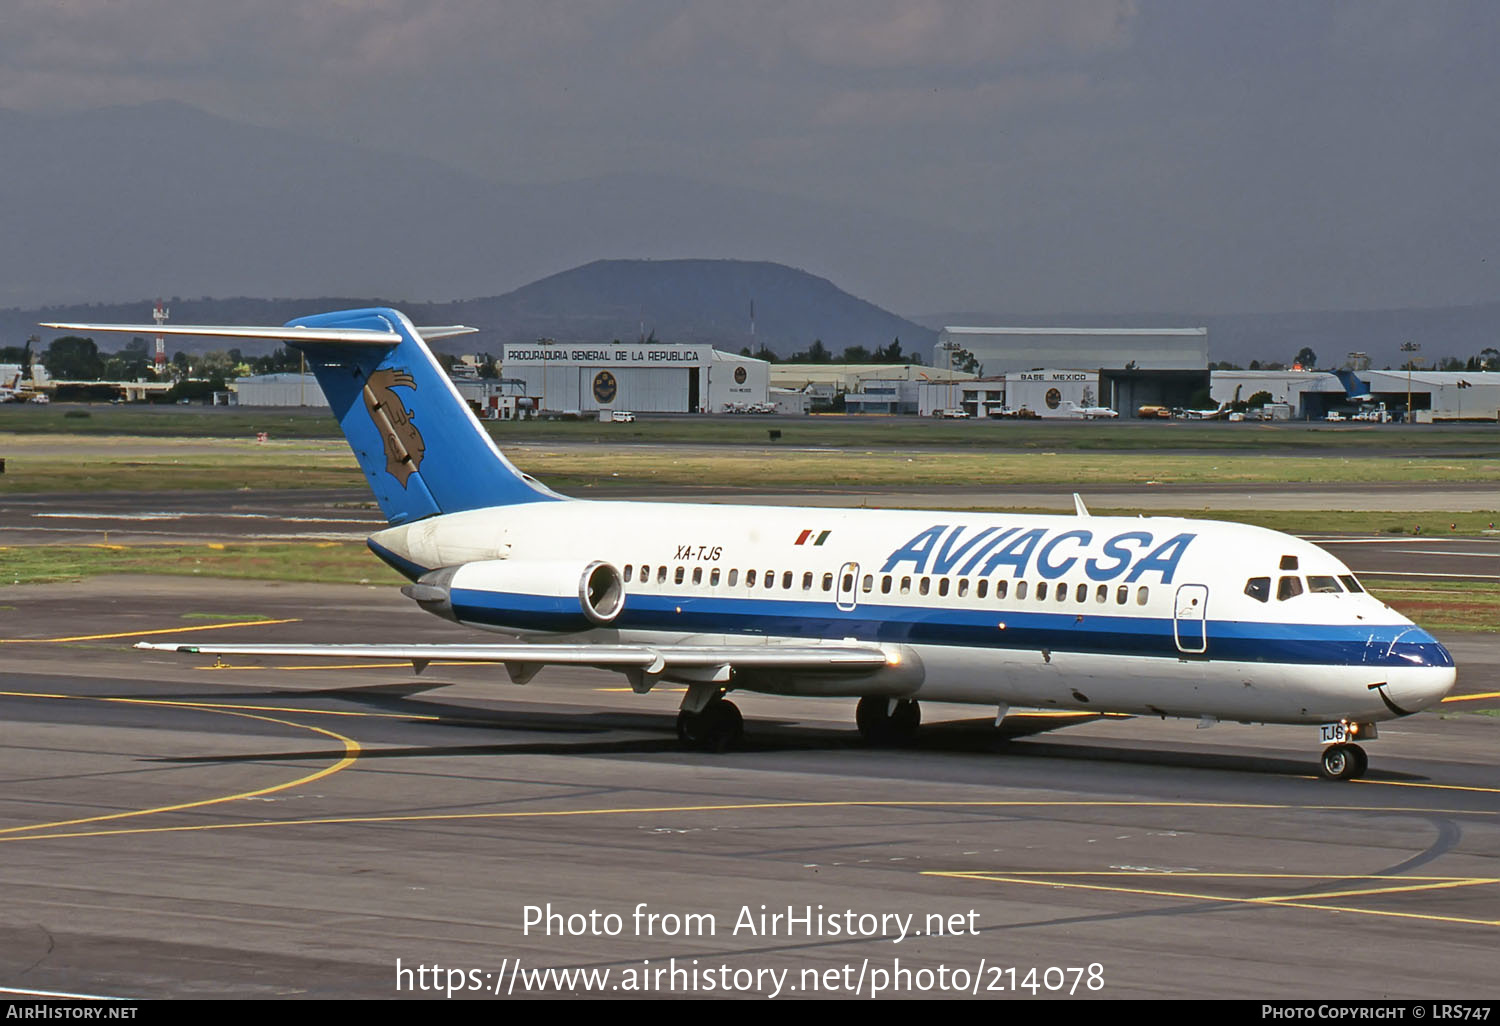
(653, 661)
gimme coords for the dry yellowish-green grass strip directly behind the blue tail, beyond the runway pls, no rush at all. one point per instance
(122, 463)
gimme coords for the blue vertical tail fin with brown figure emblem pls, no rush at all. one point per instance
(419, 445)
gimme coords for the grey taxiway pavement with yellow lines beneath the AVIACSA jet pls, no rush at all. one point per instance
(170, 827)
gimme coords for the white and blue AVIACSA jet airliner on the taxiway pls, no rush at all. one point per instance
(1138, 616)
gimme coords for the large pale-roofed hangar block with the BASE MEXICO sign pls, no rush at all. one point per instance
(1135, 367)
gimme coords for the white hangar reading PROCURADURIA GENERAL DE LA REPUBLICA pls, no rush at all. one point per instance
(643, 377)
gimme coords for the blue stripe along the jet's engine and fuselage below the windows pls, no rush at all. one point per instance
(1073, 632)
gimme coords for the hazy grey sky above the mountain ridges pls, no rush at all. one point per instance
(1199, 155)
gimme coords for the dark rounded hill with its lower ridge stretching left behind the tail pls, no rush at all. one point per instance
(673, 301)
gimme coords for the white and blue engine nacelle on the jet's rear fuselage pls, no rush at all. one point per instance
(526, 595)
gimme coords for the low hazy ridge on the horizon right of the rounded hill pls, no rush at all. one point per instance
(1333, 335)
